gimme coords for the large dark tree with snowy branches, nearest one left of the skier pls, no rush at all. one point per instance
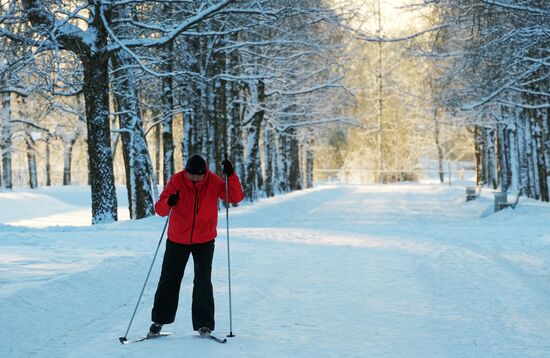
(86, 31)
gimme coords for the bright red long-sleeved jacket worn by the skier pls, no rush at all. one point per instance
(195, 216)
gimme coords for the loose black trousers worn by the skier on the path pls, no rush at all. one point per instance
(173, 267)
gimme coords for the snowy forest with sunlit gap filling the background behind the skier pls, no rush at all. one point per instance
(122, 92)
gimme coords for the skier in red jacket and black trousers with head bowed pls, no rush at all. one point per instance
(191, 198)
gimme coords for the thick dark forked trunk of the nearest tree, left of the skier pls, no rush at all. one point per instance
(95, 88)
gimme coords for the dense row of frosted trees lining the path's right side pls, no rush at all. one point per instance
(498, 78)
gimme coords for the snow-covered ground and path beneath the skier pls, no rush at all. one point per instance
(337, 271)
